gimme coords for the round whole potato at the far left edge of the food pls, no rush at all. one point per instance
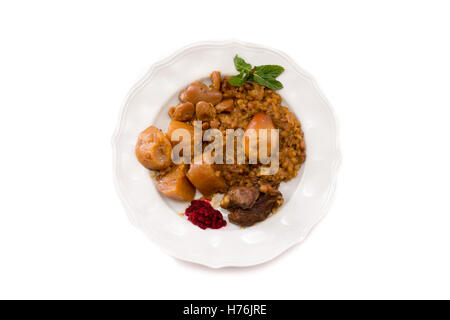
(153, 149)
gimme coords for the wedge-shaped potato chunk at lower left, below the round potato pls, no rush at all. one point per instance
(176, 186)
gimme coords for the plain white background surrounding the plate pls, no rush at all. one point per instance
(65, 68)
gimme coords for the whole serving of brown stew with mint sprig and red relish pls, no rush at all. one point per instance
(247, 104)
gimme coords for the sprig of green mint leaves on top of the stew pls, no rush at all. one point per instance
(264, 75)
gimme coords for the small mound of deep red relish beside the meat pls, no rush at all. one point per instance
(202, 214)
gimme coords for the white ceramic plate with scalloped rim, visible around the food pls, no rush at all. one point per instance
(306, 198)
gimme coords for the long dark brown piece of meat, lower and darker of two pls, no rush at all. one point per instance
(262, 208)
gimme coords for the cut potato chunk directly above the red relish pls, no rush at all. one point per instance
(204, 178)
